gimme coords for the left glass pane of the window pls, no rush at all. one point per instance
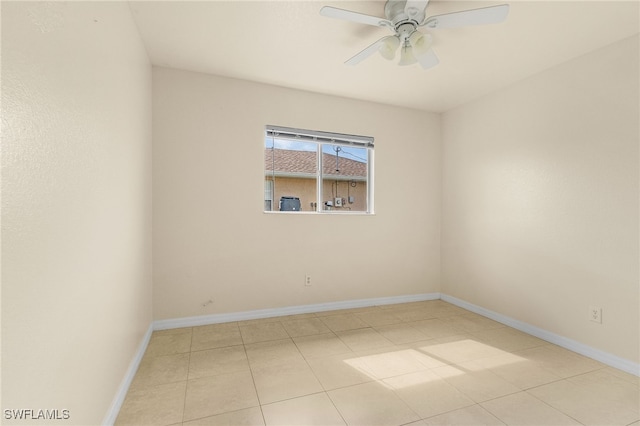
(291, 168)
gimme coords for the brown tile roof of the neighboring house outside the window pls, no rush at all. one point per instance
(288, 161)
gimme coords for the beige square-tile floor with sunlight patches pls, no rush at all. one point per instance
(422, 363)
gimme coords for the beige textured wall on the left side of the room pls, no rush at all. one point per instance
(76, 205)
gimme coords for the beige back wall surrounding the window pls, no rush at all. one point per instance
(210, 231)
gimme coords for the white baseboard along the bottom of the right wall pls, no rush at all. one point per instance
(588, 351)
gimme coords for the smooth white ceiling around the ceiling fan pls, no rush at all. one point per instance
(288, 43)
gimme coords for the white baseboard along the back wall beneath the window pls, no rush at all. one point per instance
(289, 310)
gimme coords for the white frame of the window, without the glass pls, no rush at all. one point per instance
(321, 138)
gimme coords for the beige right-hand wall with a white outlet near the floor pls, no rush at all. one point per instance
(540, 200)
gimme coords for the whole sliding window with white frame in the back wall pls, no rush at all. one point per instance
(311, 171)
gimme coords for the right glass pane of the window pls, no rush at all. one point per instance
(344, 178)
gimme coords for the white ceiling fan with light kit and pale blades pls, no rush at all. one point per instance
(404, 17)
